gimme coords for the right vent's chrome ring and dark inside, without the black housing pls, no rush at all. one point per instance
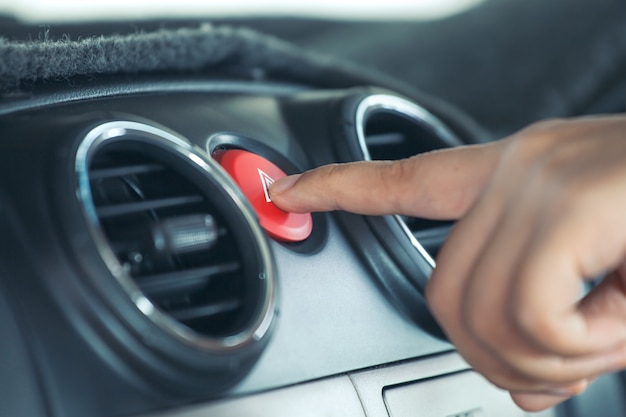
(391, 128)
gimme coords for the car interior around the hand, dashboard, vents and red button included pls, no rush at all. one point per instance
(144, 271)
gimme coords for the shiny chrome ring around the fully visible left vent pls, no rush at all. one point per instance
(123, 130)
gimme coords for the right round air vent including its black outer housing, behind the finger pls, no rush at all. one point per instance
(401, 250)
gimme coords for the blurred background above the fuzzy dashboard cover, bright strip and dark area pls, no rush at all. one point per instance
(506, 63)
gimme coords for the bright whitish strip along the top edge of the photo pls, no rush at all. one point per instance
(39, 10)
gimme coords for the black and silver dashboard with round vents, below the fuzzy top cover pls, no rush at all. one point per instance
(140, 279)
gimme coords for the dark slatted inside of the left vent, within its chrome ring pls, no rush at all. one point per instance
(173, 239)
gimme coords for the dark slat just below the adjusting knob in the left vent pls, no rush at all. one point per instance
(179, 280)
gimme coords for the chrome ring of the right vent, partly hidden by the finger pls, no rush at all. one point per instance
(410, 111)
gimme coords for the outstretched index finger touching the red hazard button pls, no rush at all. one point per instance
(438, 185)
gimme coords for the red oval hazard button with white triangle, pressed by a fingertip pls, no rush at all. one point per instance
(254, 174)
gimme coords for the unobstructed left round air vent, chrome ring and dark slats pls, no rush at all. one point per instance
(176, 235)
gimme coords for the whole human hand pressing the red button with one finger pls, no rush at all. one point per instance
(538, 214)
